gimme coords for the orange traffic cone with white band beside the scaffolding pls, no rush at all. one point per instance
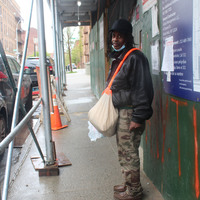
(55, 117)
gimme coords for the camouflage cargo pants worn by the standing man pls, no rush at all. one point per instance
(128, 151)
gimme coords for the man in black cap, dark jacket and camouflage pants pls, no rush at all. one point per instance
(132, 94)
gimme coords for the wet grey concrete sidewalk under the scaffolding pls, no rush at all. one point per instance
(95, 168)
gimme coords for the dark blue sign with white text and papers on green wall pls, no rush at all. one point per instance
(181, 48)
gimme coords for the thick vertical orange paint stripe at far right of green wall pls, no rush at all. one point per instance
(196, 162)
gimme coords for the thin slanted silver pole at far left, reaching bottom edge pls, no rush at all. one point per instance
(14, 122)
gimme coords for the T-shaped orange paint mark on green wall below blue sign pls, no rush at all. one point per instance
(181, 103)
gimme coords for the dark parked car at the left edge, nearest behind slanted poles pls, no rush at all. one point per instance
(7, 95)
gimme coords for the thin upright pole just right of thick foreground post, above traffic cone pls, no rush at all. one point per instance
(55, 46)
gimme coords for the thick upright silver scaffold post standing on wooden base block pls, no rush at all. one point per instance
(44, 84)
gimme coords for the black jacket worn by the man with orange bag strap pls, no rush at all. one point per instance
(132, 87)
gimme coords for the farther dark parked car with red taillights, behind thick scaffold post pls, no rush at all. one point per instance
(33, 62)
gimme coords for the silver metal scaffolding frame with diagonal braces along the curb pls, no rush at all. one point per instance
(60, 81)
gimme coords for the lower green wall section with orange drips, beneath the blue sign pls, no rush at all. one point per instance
(169, 155)
